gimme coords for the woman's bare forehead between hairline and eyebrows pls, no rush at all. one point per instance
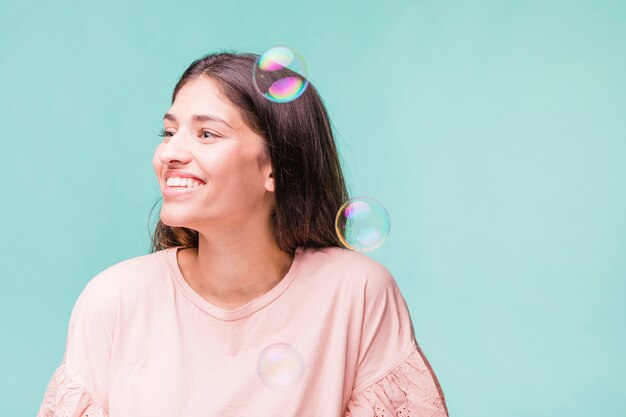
(203, 96)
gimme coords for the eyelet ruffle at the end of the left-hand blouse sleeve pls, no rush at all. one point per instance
(66, 397)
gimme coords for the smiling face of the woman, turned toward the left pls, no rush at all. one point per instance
(205, 136)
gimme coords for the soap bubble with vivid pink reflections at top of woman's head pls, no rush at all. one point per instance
(280, 74)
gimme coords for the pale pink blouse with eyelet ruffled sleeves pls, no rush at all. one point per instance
(332, 338)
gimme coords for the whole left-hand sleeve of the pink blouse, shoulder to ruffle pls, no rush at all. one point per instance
(80, 384)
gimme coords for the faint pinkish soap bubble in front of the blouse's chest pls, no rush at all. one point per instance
(280, 366)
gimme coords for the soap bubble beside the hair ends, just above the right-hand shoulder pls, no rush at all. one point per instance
(362, 224)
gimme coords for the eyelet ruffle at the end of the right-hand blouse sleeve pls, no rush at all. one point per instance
(409, 390)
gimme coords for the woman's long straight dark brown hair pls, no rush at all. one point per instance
(309, 183)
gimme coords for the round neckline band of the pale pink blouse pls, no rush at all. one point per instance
(240, 312)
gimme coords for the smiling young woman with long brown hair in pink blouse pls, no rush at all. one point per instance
(247, 305)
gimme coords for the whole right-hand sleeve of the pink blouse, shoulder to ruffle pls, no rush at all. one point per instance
(393, 377)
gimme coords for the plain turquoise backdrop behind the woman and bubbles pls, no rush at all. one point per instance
(493, 131)
